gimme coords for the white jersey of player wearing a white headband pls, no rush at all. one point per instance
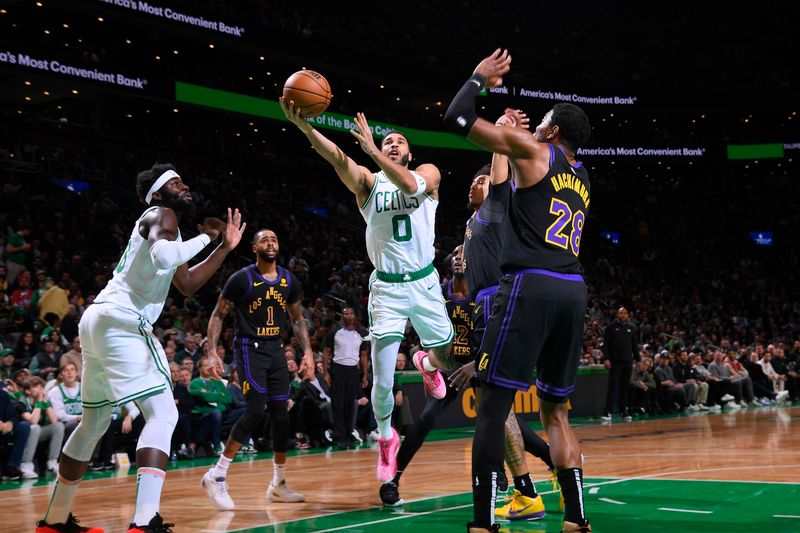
(137, 284)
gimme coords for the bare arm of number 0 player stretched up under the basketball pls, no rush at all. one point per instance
(356, 178)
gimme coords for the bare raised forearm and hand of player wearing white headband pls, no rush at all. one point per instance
(189, 280)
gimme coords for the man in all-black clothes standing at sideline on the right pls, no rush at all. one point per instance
(620, 350)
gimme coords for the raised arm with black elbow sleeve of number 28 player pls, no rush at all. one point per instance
(514, 142)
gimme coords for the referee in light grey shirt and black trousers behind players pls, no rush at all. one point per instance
(343, 350)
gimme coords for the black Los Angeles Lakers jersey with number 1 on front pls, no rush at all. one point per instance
(260, 304)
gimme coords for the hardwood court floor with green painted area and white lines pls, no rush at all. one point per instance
(723, 472)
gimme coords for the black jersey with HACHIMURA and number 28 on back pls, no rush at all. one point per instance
(546, 220)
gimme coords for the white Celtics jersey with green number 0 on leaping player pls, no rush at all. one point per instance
(400, 229)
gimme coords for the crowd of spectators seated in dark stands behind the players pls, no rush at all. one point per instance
(712, 319)
